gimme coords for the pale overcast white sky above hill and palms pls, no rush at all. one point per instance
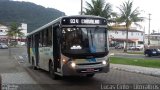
(73, 7)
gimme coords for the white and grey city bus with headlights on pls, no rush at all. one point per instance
(69, 46)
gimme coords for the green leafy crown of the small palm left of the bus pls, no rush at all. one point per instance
(14, 31)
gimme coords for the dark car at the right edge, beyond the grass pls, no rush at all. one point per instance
(152, 52)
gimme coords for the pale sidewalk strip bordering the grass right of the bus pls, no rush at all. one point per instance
(137, 69)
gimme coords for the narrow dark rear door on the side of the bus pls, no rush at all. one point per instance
(37, 48)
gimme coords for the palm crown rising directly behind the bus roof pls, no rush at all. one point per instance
(99, 8)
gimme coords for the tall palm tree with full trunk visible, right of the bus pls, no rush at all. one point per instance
(128, 16)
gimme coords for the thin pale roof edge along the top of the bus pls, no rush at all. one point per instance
(59, 20)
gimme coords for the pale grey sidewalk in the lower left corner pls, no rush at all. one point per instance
(13, 73)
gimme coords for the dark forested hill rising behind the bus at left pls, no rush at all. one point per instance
(26, 12)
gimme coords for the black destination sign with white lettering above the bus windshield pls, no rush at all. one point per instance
(83, 21)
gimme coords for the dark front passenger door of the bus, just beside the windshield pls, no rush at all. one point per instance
(56, 48)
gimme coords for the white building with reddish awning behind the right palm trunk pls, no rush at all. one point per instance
(135, 37)
